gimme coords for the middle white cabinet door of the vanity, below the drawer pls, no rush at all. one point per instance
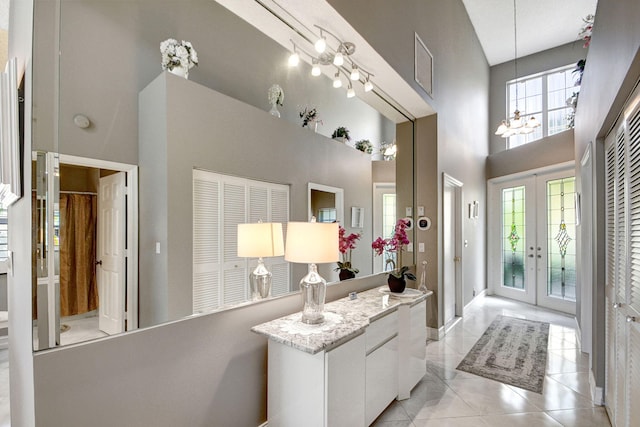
(382, 379)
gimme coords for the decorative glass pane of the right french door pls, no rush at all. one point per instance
(561, 244)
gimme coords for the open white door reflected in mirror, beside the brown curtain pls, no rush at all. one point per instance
(111, 268)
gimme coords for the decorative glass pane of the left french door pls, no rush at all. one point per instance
(513, 233)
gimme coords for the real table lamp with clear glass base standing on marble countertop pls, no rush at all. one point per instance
(312, 243)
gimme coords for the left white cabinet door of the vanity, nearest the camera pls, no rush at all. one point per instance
(345, 384)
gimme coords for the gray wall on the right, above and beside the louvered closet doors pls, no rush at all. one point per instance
(612, 70)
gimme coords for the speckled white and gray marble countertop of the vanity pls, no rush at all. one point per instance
(345, 319)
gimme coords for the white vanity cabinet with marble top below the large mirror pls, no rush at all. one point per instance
(369, 351)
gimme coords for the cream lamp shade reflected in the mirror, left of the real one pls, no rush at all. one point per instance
(263, 239)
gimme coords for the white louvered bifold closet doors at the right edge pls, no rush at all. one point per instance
(622, 157)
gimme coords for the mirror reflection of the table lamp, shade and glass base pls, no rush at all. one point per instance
(263, 239)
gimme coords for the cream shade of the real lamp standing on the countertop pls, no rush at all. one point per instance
(312, 242)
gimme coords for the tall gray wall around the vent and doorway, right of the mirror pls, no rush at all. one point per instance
(461, 99)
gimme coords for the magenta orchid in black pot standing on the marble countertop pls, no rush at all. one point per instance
(395, 244)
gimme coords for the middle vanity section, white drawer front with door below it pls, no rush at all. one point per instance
(381, 365)
